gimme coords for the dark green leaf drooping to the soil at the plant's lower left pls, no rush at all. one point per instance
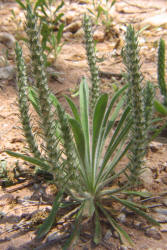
(46, 226)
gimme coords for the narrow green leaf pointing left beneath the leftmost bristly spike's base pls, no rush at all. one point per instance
(32, 160)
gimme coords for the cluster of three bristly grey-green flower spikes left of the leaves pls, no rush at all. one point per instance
(50, 152)
